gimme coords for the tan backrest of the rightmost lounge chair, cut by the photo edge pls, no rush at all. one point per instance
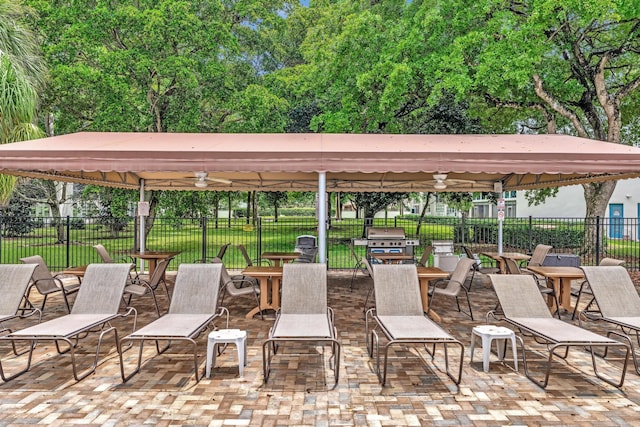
(613, 290)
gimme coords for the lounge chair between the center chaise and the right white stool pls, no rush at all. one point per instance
(399, 317)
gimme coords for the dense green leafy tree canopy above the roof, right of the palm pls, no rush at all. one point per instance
(424, 66)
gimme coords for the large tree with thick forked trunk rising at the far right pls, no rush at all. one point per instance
(573, 66)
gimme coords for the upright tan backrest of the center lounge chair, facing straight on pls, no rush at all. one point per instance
(304, 288)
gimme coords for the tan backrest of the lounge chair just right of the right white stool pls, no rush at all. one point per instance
(519, 296)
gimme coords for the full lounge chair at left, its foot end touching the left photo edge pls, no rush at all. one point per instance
(97, 305)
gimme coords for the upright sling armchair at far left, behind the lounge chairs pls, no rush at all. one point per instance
(47, 283)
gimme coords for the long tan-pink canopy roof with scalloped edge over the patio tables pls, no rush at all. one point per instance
(283, 162)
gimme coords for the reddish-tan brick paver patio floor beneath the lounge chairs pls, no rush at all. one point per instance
(299, 391)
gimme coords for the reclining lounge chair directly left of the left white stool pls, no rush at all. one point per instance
(194, 308)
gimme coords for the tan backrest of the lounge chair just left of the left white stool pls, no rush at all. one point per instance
(196, 289)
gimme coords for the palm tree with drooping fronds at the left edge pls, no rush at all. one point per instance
(22, 77)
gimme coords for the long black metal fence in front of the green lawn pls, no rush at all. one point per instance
(69, 242)
